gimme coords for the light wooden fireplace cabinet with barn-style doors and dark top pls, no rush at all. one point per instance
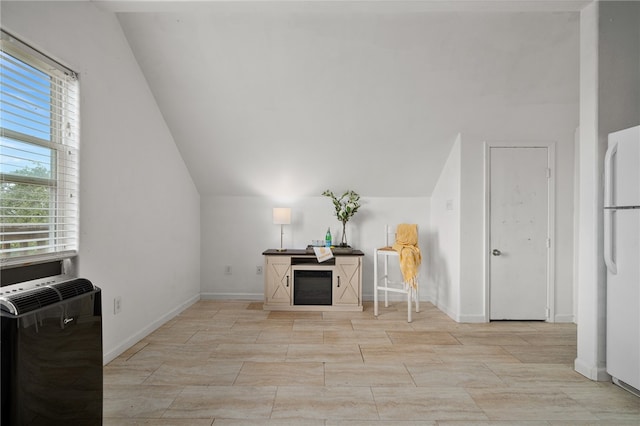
(293, 279)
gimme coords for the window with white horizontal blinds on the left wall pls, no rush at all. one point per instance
(39, 139)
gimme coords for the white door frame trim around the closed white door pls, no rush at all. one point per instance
(551, 209)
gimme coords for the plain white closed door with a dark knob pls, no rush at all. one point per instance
(518, 242)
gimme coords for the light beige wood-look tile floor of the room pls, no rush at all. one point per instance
(231, 363)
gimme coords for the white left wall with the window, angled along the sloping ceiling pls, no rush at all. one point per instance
(139, 207)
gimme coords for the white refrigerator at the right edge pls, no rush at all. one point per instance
(622, 256)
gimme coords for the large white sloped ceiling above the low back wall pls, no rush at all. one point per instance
(304, 96)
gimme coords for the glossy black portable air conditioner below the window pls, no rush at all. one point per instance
(51, 349)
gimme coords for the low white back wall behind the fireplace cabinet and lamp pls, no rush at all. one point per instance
(236, 230)
